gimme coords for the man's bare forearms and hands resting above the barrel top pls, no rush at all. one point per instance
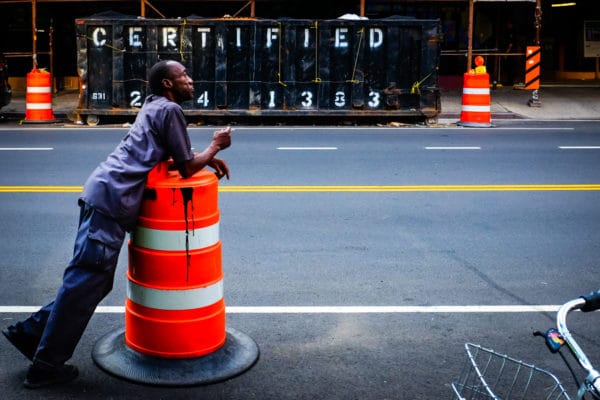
(221, 140)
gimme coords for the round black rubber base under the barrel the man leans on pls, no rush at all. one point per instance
(238, 354)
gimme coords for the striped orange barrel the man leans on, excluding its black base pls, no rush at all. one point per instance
(175, 306)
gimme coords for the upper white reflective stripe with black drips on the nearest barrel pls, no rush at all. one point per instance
(158, 239)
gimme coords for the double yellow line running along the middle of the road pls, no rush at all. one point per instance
(337, 189)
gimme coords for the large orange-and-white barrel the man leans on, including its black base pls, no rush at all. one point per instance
(175, 327)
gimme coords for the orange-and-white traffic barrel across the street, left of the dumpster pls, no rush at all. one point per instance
(38, 98)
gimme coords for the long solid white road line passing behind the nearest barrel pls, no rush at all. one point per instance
(336, 309)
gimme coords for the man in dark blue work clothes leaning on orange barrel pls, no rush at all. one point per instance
(109, 206)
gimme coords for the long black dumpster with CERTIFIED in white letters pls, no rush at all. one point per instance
(260, 67)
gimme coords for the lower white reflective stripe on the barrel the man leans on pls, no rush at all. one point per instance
(175, 299)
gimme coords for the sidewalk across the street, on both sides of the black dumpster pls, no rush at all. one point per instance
(572, 101)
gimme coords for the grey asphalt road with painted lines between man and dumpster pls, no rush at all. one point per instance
(360, 260)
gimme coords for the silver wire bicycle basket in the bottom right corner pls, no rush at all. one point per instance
(490, 375)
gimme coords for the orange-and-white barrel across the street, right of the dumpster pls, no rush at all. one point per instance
(476, 101)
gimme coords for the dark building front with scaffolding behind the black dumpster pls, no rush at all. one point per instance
(501, 30)
